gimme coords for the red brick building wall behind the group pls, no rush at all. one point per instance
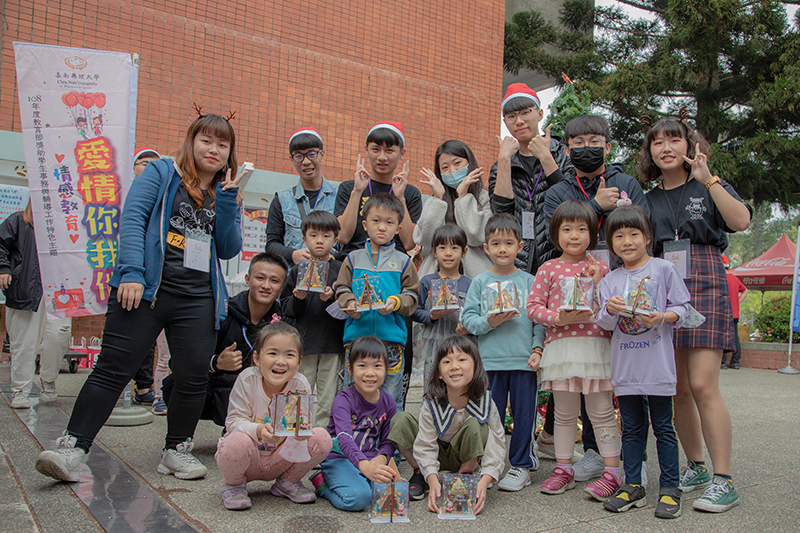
(339, 66)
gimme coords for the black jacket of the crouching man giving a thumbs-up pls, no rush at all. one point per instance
(231, 330)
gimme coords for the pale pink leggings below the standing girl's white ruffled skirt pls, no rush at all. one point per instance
(600, 408)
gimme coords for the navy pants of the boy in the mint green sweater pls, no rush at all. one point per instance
(521, 386)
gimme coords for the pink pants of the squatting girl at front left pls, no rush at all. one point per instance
(240, 461)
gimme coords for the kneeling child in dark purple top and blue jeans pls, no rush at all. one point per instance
(359, 427)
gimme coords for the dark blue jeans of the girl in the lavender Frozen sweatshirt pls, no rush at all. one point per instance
(634, 437)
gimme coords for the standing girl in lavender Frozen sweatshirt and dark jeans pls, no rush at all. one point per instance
(642, 355)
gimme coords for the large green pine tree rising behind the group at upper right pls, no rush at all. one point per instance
(735, 64)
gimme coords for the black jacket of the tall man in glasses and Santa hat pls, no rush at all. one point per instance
(536, 251)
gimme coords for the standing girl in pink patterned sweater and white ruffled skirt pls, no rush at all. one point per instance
(577, 357)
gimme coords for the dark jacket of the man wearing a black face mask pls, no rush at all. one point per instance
(568, 189)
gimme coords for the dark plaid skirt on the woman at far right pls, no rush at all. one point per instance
(709, 289)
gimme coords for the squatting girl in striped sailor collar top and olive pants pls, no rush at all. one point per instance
(458, 426)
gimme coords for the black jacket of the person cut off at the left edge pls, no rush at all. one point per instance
(19, 258)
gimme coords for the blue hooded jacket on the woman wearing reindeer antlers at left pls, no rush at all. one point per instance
(144, 224)
